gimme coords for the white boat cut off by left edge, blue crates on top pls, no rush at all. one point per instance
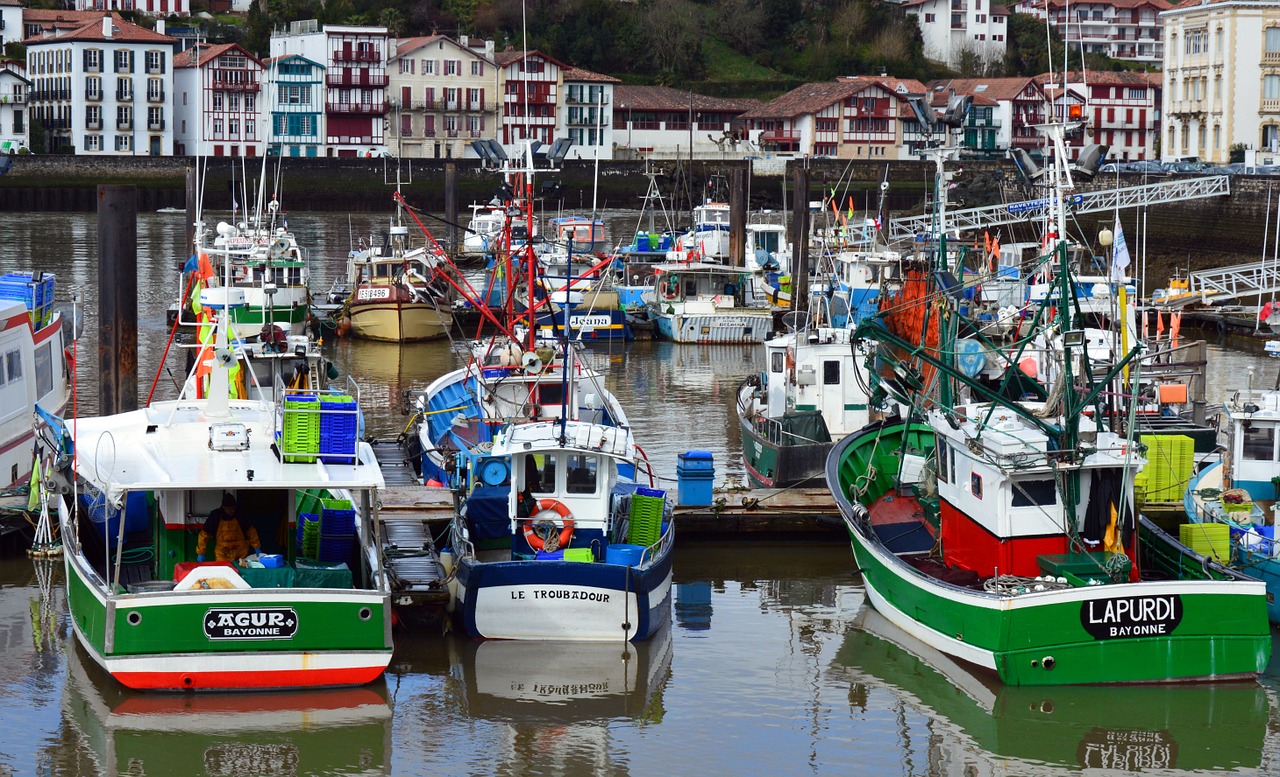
(34, 368)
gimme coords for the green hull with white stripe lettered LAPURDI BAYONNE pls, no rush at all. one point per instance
(1186, 630)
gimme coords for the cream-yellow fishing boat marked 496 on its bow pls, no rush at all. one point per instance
(395, 295)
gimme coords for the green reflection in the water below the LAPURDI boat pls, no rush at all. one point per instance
(979, 726)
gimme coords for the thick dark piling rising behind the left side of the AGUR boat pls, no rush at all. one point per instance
(118, 299)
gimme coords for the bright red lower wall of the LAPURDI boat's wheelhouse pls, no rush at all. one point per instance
(971, 547)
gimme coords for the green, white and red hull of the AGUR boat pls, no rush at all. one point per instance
(163, 641)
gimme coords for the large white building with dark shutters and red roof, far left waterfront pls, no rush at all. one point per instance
(103, 89)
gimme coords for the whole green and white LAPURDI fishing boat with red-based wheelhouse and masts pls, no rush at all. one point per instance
(1003, 532)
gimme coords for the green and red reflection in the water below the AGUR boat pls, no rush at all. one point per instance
(344, 732)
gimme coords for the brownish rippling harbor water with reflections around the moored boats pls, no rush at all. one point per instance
(772, 665)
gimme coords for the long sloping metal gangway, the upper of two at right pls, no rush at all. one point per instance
(1191, 188)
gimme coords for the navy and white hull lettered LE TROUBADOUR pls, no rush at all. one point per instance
(564, 601)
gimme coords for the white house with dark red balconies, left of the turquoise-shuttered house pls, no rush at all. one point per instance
(218, 102)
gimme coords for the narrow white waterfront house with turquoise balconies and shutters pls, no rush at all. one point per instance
(295, 95)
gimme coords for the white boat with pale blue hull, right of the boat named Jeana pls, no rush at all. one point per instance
(706, 303)
